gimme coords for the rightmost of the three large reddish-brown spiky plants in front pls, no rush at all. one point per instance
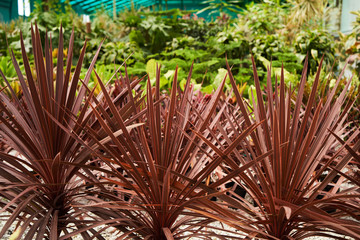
(298, 191)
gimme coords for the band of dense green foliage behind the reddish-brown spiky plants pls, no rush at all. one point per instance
(179, 38)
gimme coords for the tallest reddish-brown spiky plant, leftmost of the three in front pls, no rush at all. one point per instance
(41, 181)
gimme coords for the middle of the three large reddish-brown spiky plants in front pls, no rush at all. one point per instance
(154, 173)
